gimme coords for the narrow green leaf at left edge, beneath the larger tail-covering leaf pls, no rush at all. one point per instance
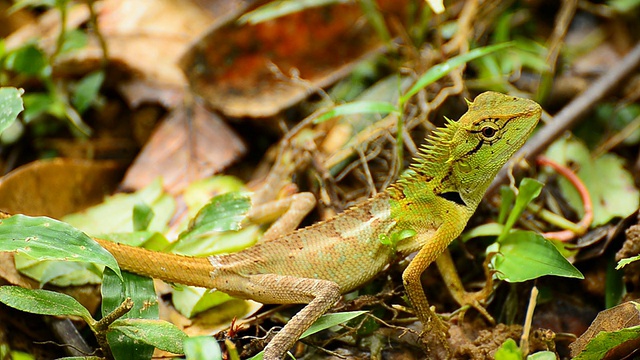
(43, 302)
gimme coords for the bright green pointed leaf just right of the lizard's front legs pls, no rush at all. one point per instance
(528, 248)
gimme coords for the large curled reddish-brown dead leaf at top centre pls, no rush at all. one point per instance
(259, 70)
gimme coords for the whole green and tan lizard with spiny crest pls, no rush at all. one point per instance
(423, 211)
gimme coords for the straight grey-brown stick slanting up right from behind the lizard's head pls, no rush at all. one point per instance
(574, 111)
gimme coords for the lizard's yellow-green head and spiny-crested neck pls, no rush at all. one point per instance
(463, 158)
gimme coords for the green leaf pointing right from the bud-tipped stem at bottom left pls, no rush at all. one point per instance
(158, 333)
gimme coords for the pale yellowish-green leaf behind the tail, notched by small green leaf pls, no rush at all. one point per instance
(114, 215)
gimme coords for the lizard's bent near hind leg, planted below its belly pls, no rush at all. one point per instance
(319, 295)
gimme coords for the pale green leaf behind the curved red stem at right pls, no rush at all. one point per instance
(612, 189)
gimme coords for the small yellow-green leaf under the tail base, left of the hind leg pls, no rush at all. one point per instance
(190, 300)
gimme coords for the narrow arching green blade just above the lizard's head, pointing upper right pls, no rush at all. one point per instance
(440, 70)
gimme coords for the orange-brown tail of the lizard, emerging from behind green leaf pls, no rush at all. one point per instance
(174, 268)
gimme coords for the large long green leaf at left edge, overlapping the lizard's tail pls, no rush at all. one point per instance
(43, 238)
